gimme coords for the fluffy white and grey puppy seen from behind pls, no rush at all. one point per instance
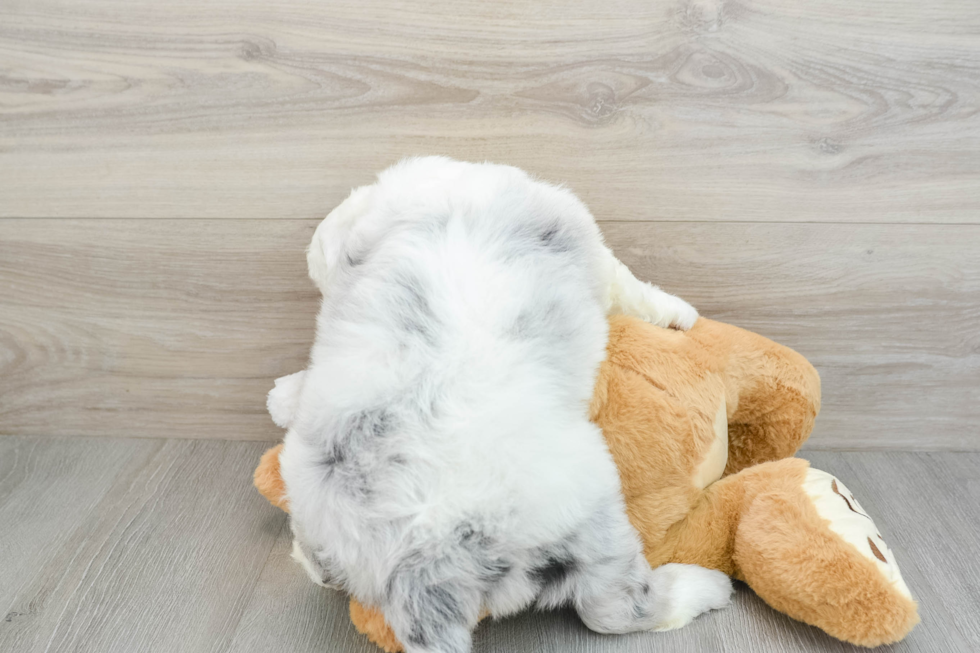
(439, 460)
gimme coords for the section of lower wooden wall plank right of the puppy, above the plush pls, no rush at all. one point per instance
(888, 314)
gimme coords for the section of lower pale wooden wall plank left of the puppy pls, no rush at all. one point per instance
(150, 328)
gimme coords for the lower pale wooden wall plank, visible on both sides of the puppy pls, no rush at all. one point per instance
(177, 328)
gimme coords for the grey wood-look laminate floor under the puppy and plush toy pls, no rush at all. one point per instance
(130, 545)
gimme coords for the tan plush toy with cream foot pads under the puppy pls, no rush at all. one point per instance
(702, 425)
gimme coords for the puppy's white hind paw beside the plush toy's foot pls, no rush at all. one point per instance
(691, 590)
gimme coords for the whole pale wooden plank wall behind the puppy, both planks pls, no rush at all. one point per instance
(807, 170)
